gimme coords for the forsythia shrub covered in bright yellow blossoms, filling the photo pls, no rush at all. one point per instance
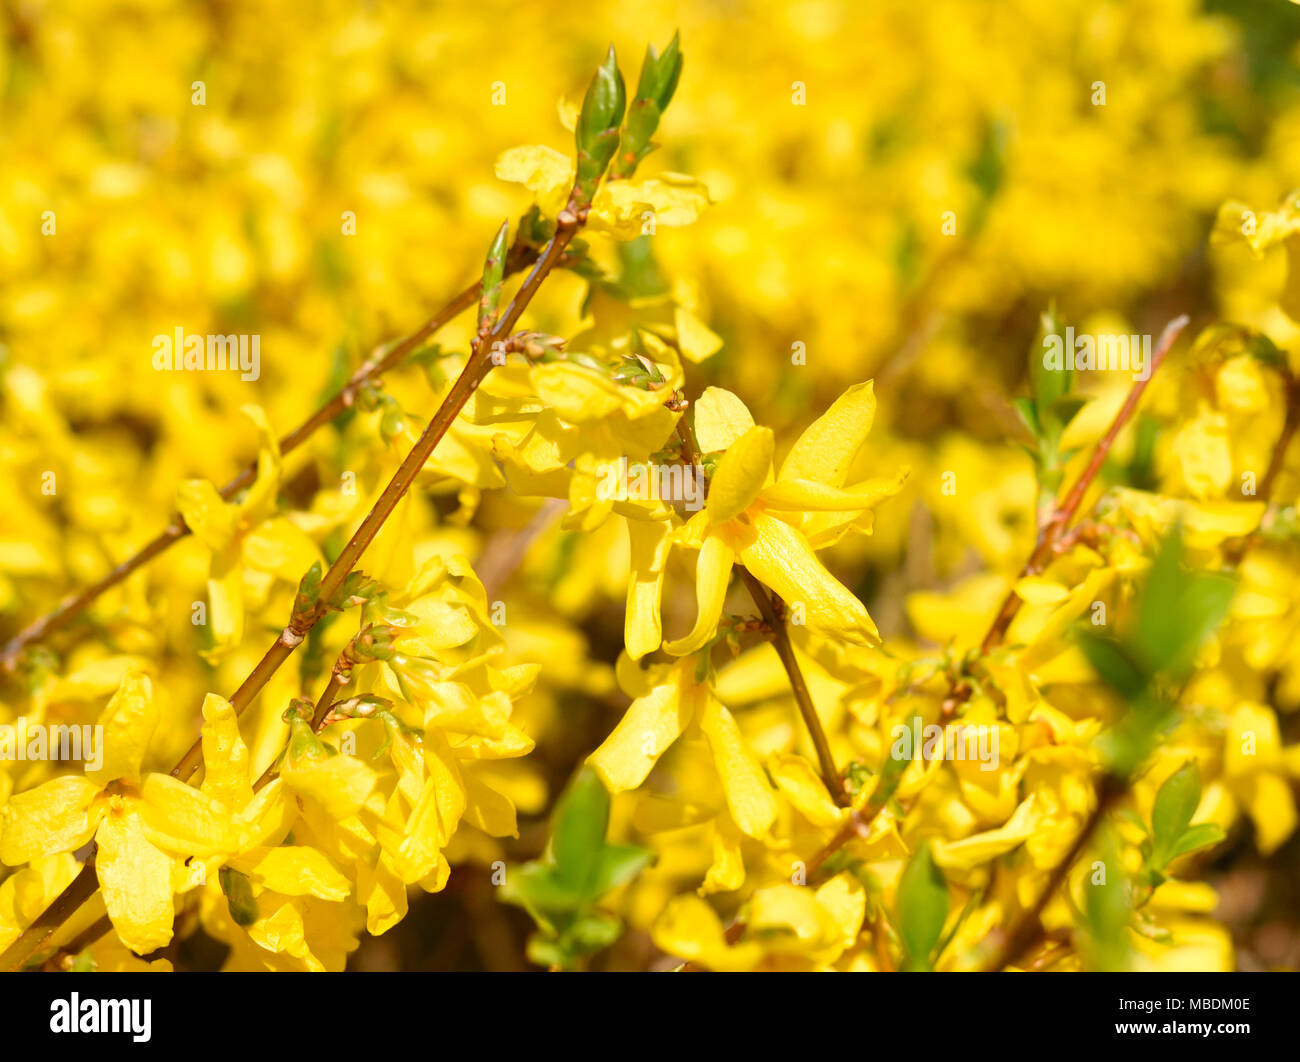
(1071, 703)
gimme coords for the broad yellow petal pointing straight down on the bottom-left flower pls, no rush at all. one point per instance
(136, 879)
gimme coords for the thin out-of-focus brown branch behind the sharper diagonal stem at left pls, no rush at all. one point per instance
(519, 258)
